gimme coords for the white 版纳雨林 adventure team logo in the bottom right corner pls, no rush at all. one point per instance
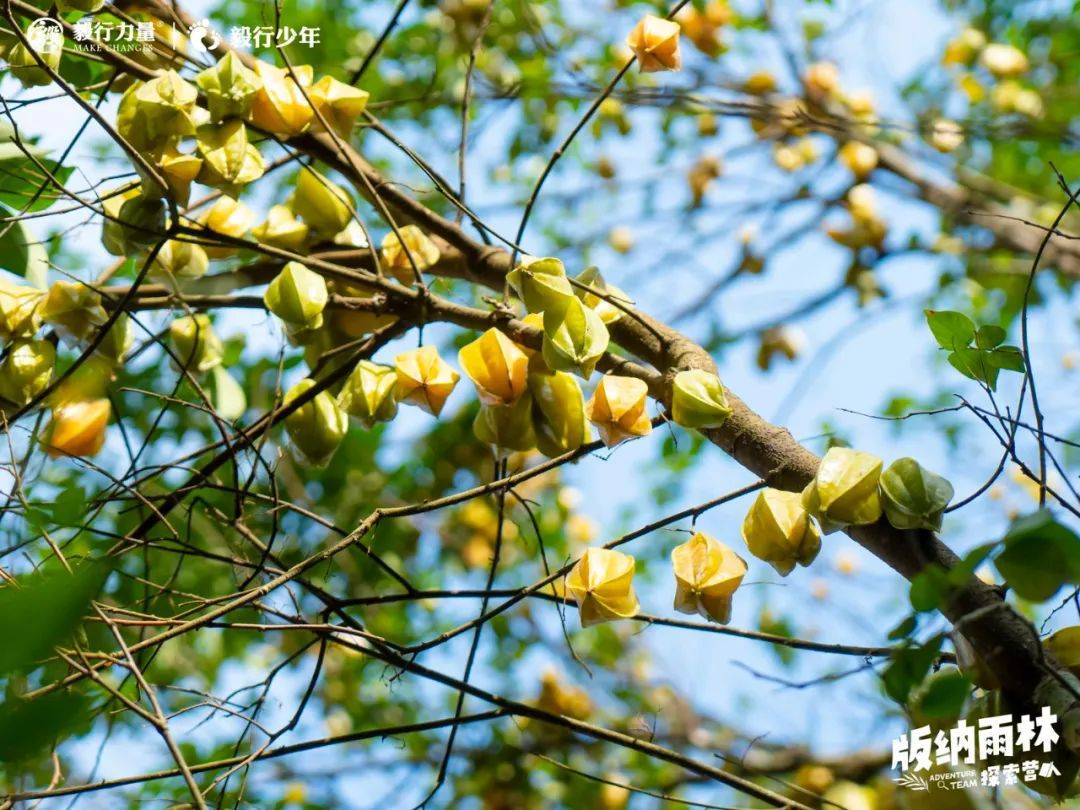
(967, 745)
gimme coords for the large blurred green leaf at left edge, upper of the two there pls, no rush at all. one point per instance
(46, 611)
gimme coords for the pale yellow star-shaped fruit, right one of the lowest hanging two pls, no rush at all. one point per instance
(708, 574)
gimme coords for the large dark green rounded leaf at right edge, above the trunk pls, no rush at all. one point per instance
(1041, 557)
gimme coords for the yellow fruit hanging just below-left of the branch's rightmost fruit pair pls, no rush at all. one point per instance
(779, 531)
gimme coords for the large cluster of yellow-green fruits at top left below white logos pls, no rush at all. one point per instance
(157, 116)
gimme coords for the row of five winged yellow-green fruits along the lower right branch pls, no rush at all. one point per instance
(780, 529)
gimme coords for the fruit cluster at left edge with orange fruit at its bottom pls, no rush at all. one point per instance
(80, 411)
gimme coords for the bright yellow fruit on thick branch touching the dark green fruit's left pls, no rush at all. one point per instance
(845, 491)
